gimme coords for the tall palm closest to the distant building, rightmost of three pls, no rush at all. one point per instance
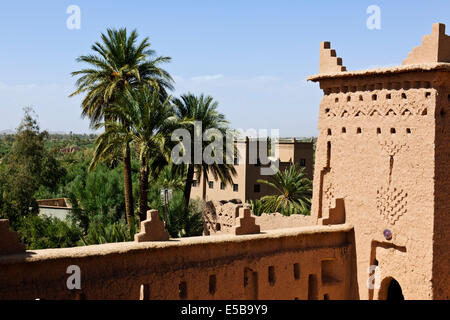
(204, 109)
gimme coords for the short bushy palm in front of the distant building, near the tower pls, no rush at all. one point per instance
(294, 191)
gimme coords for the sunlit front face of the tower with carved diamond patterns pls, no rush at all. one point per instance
(376, 151)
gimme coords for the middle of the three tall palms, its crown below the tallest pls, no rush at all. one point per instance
(147, 122)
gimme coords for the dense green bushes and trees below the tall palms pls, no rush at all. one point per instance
(98, 208)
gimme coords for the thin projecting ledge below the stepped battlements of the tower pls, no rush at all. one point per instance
(383, 71)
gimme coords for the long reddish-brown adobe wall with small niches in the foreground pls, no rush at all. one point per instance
(297, 263)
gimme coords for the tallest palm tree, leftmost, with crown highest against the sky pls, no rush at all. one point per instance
(119, 61)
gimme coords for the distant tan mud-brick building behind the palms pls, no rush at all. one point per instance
(245, 184)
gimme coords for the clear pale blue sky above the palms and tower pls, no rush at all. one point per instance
(252, 56)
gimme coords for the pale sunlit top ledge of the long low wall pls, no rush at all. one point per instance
(126, 247)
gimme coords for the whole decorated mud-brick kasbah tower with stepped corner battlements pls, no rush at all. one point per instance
(383, 166)
